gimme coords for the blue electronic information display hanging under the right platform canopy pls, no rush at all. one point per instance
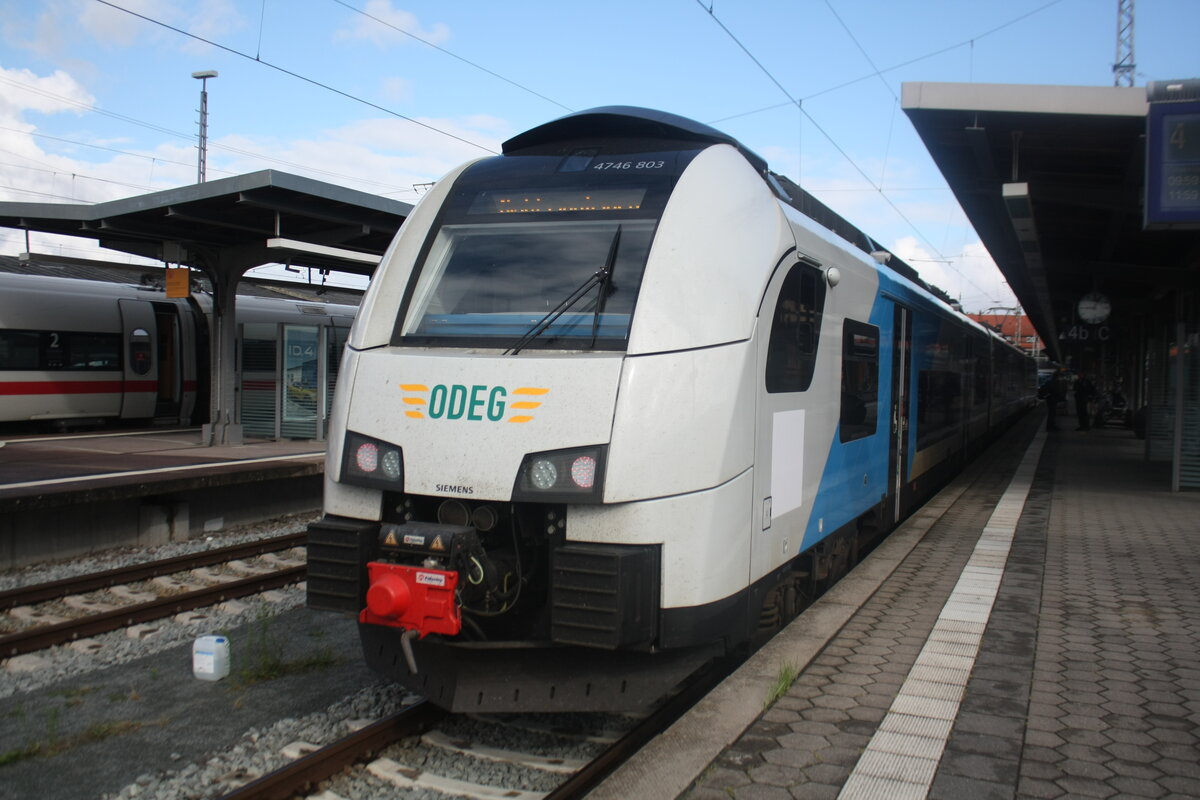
(1173, 166)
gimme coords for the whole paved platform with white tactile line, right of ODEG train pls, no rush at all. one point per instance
(1033, 633)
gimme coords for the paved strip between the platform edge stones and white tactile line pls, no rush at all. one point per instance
(837, 703)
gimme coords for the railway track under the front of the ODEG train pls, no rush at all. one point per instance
(424, 748)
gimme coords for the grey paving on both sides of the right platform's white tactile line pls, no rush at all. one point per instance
(1088, 678)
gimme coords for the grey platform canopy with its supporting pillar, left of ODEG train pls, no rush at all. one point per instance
(225, 228)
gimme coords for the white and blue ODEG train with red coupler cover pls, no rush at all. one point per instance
(616, 404)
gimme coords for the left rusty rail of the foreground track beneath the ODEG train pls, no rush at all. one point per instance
(322, 765)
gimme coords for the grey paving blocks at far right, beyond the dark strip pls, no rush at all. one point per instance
(1115, 709)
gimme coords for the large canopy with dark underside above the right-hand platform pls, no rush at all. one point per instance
(1052, 178)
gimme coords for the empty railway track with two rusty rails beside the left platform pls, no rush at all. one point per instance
(116, 612)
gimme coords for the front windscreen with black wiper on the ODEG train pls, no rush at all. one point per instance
(497, 280)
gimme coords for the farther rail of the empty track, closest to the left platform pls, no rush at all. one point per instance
(85, 584)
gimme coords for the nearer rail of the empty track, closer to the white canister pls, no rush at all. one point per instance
(47, 636)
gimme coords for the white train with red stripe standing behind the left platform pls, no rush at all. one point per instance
(76, 352)
